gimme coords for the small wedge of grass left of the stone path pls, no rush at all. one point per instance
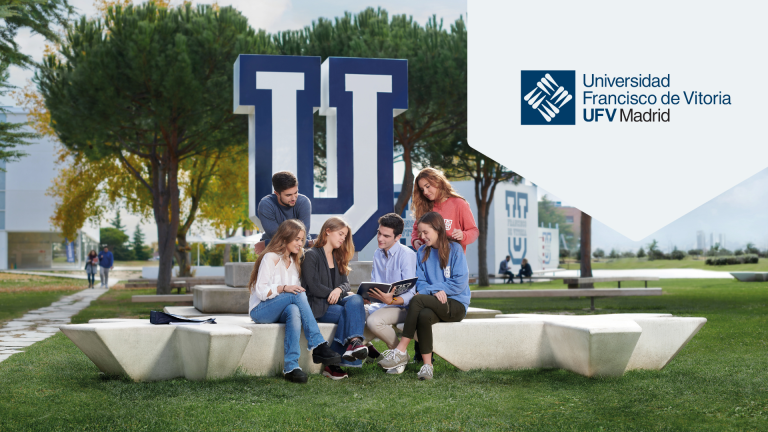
(22, 293)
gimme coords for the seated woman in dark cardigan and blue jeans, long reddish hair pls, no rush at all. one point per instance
(324, 274)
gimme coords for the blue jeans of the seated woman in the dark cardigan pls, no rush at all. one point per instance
(349, 314)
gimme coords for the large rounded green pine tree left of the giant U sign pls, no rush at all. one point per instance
(150, 87)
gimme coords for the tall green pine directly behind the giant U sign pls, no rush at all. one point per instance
(437, 72)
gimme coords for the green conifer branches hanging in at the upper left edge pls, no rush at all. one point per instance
(37, 17)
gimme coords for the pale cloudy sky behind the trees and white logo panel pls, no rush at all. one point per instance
(740, 213)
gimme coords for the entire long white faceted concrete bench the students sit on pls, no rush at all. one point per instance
(603, 345)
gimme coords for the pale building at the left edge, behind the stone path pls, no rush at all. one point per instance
(27, 238)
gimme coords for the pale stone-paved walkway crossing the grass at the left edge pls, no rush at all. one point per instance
(39, 324)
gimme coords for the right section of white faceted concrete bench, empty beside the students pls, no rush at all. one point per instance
(603, 345)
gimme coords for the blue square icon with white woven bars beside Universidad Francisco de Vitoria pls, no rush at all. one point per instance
(546, 97)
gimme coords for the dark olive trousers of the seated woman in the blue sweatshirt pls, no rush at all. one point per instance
(425, 310)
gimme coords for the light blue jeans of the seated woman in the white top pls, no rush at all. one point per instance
(292, 310)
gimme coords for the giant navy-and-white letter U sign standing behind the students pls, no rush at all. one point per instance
(358, 97)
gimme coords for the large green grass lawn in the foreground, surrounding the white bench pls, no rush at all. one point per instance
(719, 381)
